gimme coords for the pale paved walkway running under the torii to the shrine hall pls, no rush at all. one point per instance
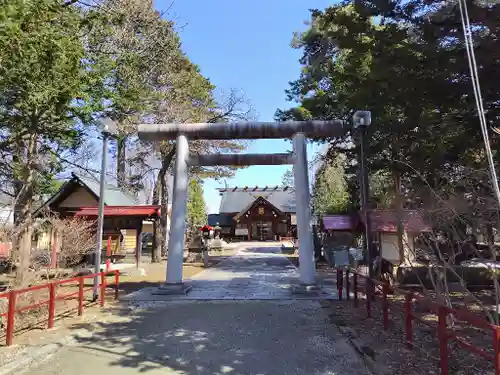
(256, 272)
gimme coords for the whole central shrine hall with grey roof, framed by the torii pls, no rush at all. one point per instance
(256, 213)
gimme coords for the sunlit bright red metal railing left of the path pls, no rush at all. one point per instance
(12, 297)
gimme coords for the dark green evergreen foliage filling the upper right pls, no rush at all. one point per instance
(405, 62)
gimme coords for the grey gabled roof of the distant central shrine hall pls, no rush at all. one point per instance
(236, 199)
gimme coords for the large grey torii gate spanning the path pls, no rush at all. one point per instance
(297, 130)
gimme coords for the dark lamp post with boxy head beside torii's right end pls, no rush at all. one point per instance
(361, 121)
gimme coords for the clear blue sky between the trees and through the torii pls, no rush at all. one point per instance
(245, 45)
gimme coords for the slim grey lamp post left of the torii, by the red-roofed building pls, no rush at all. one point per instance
(108, 130)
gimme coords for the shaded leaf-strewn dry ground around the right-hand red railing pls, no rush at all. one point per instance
(389, 347)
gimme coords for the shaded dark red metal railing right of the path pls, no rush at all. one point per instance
(444, 333)
